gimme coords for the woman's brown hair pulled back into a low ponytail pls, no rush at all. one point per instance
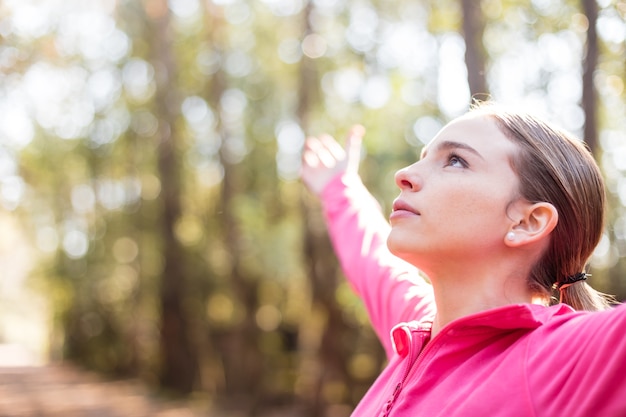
(555, 167)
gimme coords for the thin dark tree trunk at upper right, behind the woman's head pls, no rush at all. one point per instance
(590, 62)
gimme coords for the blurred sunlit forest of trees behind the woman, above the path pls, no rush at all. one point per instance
(153, 223)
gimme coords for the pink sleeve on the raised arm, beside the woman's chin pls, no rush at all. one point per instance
(392, 290)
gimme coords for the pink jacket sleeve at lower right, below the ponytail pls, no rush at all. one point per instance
(580, 368)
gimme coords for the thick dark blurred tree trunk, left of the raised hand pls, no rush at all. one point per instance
(179, 363)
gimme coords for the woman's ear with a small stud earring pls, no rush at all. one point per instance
(535, 222)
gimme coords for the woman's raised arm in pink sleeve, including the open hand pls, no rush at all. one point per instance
(391, 289)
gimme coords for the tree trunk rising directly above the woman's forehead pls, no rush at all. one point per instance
(473, 29)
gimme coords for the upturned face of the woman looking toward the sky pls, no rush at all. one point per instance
(454, 201)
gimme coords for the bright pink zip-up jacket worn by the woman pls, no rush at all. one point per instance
(517, 360)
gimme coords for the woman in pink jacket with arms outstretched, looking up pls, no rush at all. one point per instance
(501, 209)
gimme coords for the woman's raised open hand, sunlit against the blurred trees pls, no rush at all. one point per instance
(323, 158)
